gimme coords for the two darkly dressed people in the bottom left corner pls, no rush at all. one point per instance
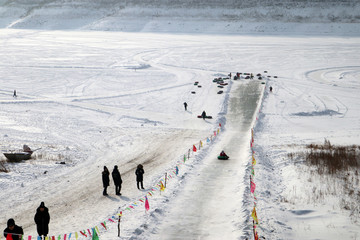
(41, 218)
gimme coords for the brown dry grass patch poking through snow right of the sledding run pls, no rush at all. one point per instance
(337, 168)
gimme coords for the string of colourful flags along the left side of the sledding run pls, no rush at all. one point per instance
(95, 232)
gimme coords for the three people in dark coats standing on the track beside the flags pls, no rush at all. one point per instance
(117, 179)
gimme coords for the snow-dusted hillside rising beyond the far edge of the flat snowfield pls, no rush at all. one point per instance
(214, 16)
